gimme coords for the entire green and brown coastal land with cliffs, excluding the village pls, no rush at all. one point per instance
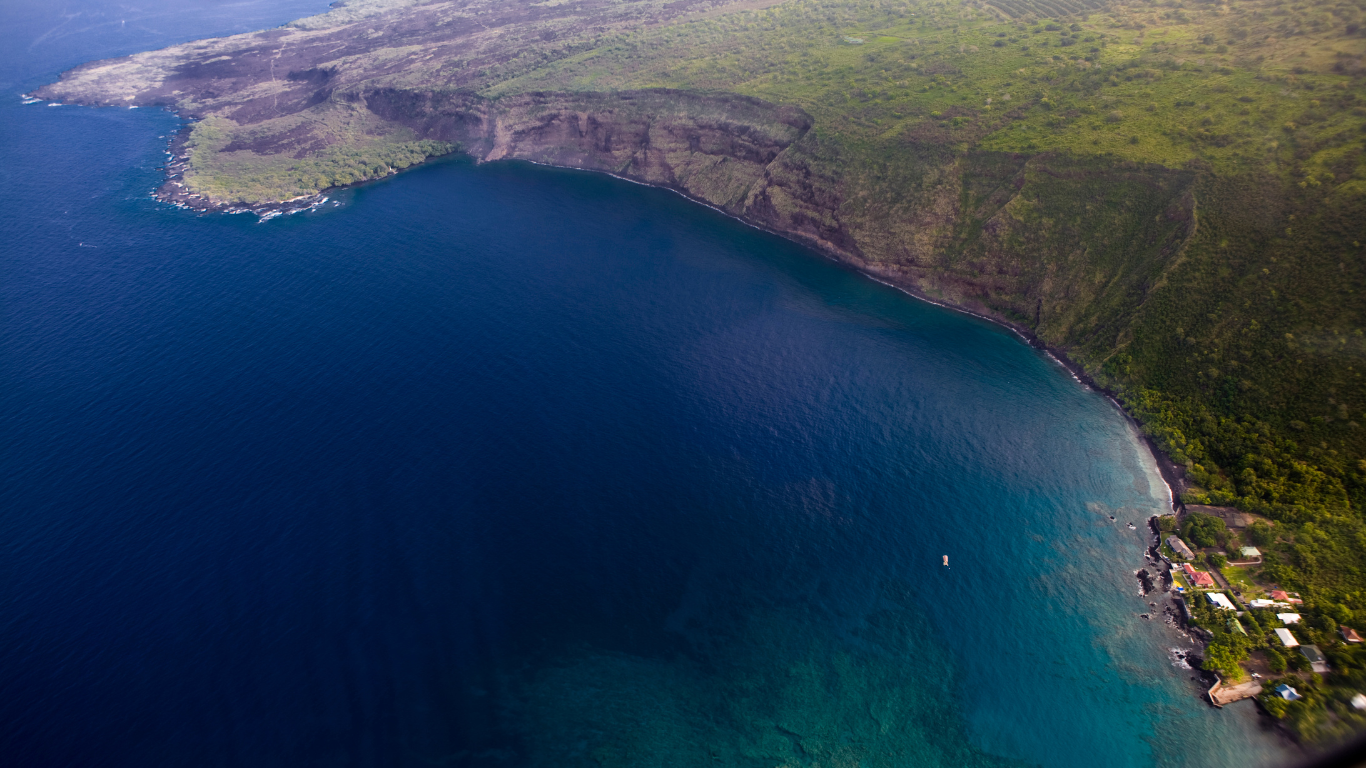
(1174, 195)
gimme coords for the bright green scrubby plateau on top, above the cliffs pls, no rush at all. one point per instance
(1147, 83)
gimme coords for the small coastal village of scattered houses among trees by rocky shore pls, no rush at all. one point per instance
(1262, 640)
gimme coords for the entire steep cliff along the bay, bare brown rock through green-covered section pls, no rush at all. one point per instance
(1062, 247)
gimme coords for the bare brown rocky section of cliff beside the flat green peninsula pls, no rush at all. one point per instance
(736, 154)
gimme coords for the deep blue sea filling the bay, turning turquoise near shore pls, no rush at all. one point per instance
(520, 467)
